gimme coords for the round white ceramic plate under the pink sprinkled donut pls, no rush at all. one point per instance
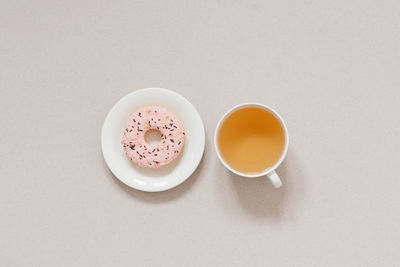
(164, 178)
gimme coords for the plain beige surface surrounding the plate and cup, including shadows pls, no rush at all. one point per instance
(331, 68)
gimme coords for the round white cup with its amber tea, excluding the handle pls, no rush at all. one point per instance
(251, 140)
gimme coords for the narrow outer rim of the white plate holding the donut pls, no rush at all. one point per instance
(170, 185)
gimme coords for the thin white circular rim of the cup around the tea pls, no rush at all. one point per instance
(240, 106)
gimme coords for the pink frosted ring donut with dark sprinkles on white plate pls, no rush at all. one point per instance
(153, 118)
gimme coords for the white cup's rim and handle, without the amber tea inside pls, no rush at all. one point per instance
(270, 172)
